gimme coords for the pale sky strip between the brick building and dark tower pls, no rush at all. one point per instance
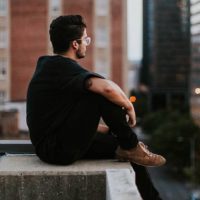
(134, 29)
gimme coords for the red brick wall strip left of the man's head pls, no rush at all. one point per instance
(28, 41)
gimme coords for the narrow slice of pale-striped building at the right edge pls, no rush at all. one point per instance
(195, 60)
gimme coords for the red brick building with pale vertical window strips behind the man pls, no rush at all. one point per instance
(25, 26)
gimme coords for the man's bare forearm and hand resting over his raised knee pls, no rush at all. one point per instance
(113, 93)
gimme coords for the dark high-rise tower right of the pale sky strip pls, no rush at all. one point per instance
(166, 52)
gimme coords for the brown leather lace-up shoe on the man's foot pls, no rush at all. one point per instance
(141, 156)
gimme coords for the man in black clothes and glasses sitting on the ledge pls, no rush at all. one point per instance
(65, 103)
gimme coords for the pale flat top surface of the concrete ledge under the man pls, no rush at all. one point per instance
(31, 164)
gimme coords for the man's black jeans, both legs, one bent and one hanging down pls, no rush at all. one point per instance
(80, 139)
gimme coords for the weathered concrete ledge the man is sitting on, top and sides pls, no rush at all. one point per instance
(25, 177)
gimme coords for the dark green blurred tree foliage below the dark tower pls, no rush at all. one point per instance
(171, 135)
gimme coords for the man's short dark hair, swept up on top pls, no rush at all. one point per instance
(65, 29)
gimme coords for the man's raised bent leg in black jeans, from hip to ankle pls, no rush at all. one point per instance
(72, 140)
